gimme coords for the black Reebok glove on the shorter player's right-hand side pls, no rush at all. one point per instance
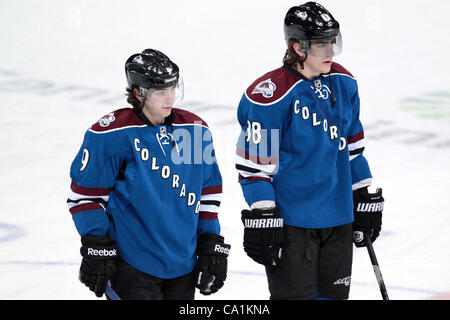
(212, 263)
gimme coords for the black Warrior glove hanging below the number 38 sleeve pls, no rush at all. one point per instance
(263, 235)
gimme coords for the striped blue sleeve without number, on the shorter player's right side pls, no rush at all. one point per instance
(211, 195)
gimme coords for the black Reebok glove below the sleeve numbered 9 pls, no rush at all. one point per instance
(99, 262)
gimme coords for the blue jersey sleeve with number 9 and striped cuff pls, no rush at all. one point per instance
(93, 173)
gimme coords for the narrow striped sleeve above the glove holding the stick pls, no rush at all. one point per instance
(360, 171)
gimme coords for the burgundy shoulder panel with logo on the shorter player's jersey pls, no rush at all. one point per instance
(117, 119)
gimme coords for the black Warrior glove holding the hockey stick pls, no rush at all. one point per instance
(368, 208)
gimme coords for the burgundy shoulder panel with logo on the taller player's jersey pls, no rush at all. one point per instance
(271, 87)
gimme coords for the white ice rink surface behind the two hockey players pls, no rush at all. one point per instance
(61, 69)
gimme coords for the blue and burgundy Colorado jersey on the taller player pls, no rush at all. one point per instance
(301, 146)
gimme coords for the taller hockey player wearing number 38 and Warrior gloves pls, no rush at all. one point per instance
(301, 165)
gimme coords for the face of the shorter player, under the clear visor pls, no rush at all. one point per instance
(159, 103)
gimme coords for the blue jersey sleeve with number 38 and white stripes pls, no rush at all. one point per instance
(257, 149)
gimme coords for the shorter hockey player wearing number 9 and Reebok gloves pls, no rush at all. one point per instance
(146, 191)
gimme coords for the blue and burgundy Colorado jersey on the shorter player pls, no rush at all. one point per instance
(153, 189)
